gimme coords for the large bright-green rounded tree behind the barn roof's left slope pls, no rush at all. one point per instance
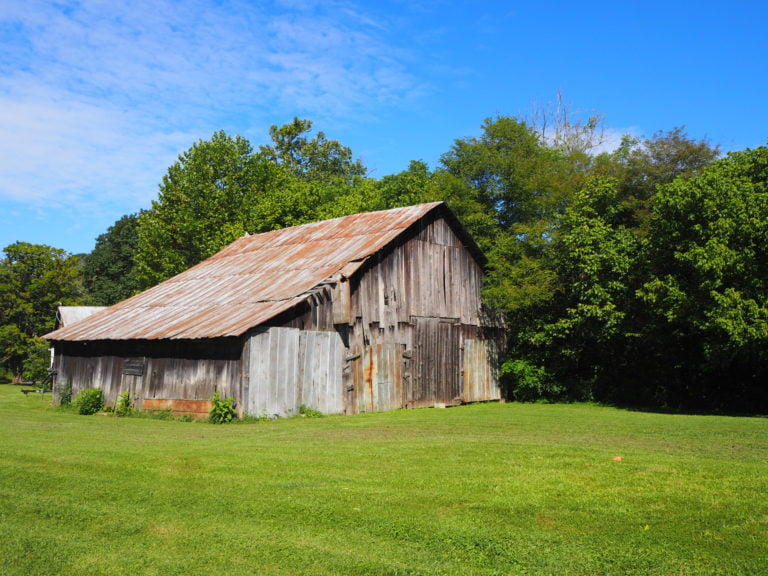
(212, 195)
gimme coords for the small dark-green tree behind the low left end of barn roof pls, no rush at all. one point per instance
(109, 275)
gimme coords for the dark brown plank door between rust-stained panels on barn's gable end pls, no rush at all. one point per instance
(436, 369)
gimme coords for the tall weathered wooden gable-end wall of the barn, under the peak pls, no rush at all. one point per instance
(418, 334)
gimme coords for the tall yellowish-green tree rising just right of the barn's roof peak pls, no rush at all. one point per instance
(509, 189)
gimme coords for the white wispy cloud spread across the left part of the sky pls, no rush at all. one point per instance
(97, 98)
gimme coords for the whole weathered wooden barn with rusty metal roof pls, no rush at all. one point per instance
(369, 312)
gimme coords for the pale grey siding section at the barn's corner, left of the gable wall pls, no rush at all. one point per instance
(288, 367)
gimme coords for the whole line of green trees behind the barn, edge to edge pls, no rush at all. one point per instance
(637, 276)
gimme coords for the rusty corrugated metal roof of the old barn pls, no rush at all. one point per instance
(250, 281)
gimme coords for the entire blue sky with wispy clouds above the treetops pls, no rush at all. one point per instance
(98, 98)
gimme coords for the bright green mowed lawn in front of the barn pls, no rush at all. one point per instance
(481, 489)
